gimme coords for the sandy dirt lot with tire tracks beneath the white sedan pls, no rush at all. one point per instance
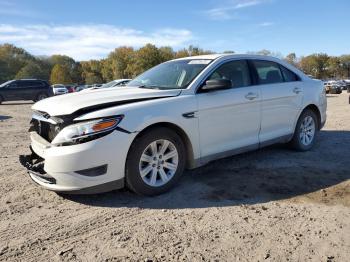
(270, 205)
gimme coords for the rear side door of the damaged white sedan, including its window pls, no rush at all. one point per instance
(281, 99)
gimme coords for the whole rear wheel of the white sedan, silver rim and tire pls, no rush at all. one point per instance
(306, 131)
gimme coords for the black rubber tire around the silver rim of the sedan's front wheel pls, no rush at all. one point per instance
(133, 177)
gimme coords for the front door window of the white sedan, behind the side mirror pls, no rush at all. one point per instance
(236, 71)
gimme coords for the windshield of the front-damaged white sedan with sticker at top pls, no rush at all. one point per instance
(171, 75)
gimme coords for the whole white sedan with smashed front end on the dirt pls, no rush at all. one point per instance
(179, 114)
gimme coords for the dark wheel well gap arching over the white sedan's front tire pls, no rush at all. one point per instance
(190, 162)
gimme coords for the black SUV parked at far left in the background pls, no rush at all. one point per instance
(25, 89)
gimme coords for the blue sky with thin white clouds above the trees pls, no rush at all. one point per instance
(86, 29)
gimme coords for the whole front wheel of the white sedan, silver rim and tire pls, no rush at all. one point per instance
(152, 177)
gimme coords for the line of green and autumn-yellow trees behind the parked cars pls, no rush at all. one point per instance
(128, 62)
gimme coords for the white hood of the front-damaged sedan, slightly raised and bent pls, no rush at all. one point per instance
(99, 98)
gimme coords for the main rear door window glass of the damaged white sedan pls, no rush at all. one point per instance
(268, 72)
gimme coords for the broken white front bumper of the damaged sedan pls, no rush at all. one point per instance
(68, 168)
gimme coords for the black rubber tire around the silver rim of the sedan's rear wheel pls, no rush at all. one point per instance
(296, 141)
